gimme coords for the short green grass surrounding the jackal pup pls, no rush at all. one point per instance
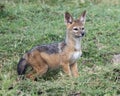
(27, 23)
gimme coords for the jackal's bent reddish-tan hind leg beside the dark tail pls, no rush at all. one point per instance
(37, 63)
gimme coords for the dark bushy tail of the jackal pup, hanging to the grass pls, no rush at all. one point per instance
(22, 65)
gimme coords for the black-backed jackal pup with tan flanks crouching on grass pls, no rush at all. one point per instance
(52, 56)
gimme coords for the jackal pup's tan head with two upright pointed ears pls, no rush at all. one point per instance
(75, 28)
